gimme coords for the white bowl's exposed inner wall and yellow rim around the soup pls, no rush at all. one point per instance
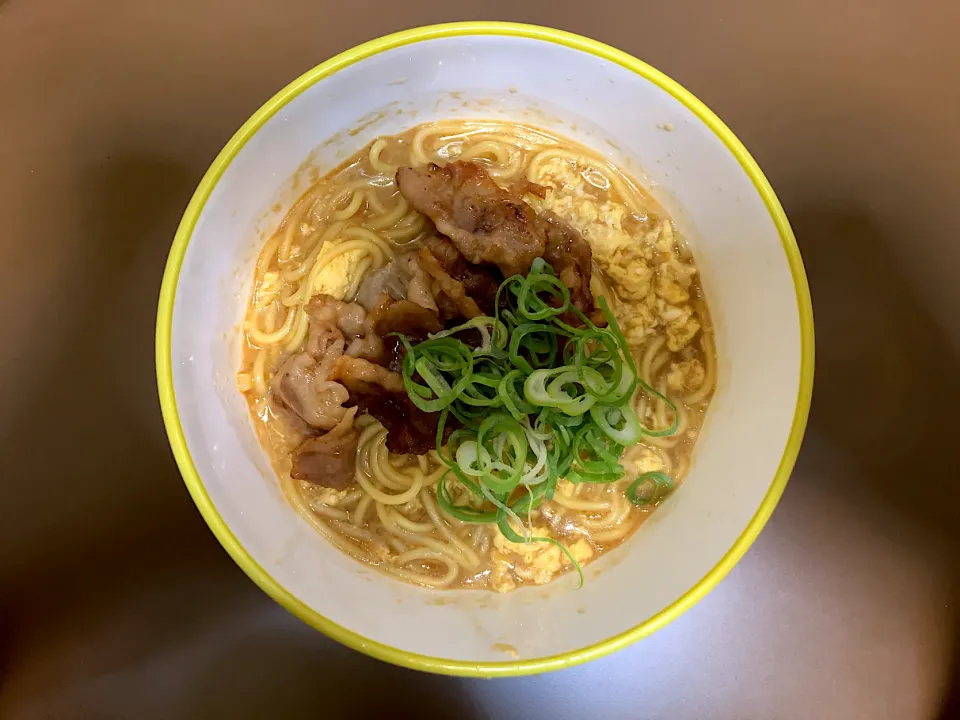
(671, 143)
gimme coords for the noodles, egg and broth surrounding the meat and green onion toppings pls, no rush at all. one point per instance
(355, 221)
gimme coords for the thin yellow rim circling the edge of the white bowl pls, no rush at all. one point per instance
(195, 484)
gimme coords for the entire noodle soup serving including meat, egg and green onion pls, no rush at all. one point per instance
(478, 355)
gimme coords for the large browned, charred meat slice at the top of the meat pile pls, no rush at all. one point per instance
(485, 222)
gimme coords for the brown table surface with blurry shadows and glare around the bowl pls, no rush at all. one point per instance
(117, 602)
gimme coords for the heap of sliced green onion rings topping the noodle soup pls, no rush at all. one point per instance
(536, 401)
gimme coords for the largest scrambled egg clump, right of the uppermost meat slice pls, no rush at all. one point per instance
(646, 270)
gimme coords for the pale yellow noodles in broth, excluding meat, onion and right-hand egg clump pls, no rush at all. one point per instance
(357, 221)
